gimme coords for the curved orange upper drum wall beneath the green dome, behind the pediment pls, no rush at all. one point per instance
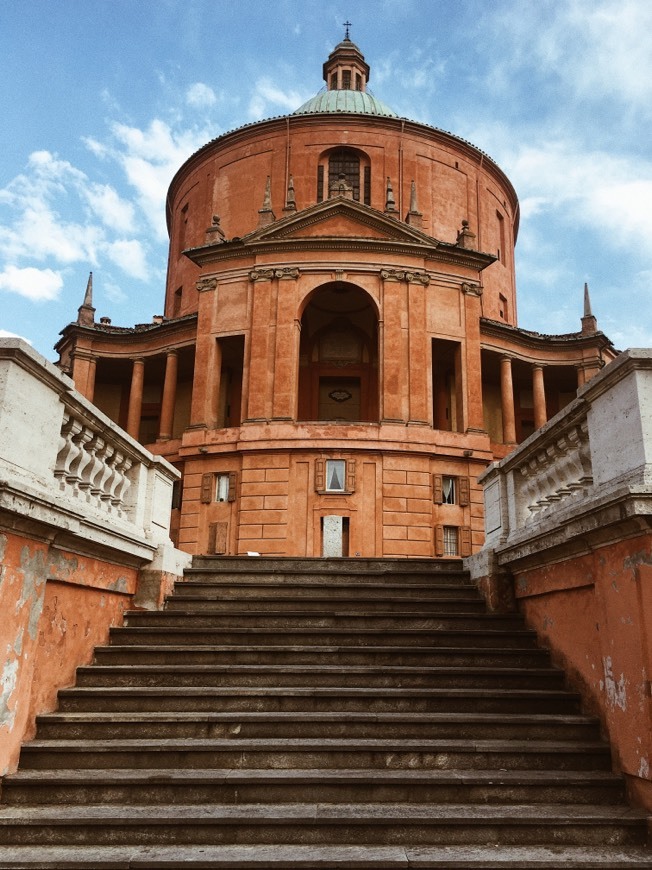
(453, 182)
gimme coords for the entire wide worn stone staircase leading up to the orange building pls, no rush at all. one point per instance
(319, 714)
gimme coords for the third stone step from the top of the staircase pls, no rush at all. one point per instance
(289, 587)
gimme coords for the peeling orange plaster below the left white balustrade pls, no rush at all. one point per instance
(56, 607)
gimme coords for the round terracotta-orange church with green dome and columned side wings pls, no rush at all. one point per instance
(339, 356)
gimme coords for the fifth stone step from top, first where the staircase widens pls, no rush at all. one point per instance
(354, 619)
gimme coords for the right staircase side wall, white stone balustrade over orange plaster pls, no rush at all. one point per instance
(568, 520)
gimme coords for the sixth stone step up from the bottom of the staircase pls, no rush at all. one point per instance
(331, 699)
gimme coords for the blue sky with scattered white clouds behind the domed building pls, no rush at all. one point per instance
(103, 100)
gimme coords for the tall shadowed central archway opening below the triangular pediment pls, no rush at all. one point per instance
(338, 360)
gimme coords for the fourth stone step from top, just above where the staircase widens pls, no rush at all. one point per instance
(185, 603)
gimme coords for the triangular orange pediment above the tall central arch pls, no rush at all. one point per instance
(340, 217)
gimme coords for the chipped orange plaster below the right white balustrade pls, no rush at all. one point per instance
(595, 613)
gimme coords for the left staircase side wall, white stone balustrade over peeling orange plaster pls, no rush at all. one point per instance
(84, 536)
